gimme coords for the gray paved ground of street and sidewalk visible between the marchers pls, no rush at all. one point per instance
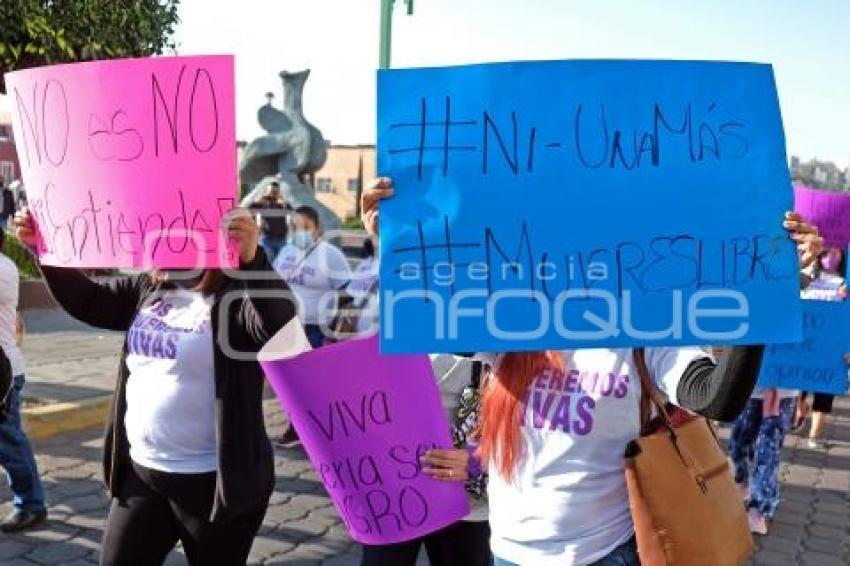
(301, 527)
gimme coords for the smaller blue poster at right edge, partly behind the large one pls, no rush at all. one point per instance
(816, 363)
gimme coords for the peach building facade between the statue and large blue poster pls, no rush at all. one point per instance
(337, 182)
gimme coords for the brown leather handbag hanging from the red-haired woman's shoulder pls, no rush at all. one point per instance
(685, 506)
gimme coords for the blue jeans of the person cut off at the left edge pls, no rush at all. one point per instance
(17, 458)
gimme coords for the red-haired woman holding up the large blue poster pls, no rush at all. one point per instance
(555, 424)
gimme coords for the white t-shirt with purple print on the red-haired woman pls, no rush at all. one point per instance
(568, 503)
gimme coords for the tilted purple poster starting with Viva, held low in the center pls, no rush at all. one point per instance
(365, 419)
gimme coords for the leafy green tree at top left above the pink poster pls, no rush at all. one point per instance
(45, 32)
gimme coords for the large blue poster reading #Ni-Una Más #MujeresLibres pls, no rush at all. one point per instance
(569, 204)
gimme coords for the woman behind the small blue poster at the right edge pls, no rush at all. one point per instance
(828, 284)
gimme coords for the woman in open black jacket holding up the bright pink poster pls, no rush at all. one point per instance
(187, 457)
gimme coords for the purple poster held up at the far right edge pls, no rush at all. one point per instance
(829, 211)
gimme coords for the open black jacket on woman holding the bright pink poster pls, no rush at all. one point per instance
(245, 457)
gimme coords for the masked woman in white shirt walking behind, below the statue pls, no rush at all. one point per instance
(315, 271)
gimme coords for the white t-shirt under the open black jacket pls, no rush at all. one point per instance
(170, 418)
